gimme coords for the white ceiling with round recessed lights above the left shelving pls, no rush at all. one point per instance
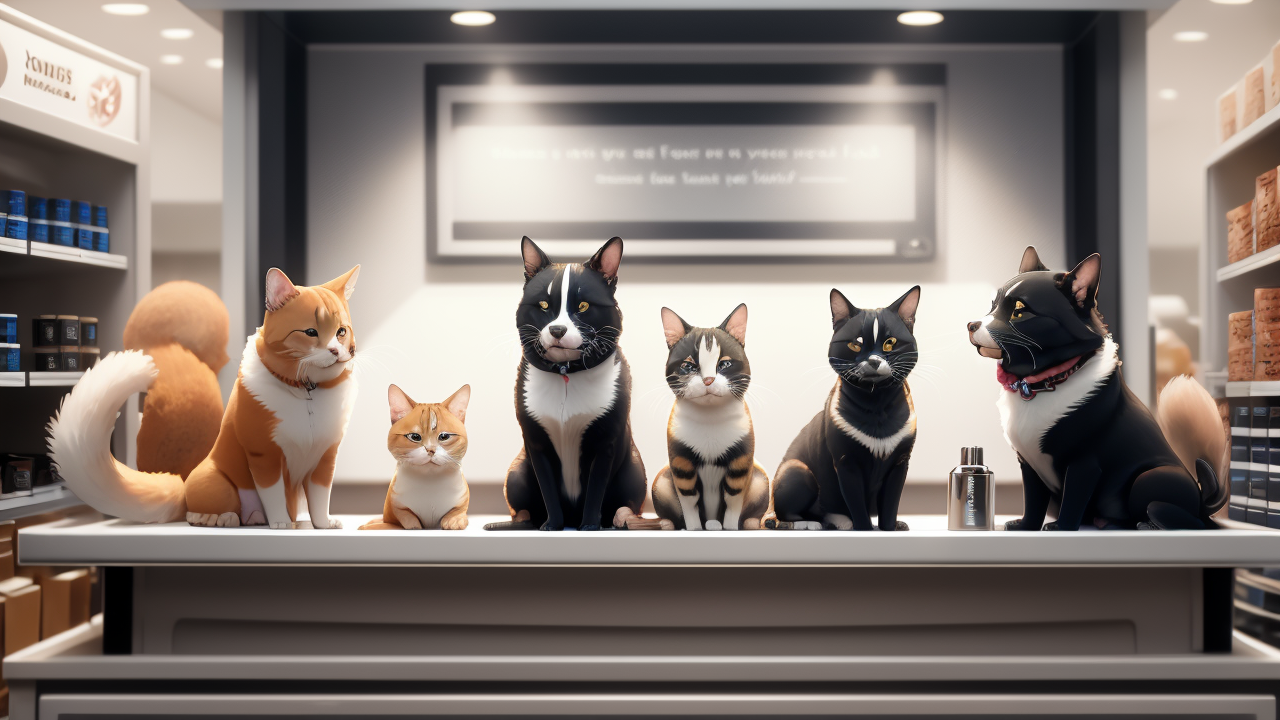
(139, 39)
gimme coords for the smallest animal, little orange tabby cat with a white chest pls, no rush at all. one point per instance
(428, 441)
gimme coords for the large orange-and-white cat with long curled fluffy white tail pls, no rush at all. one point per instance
(280, 435)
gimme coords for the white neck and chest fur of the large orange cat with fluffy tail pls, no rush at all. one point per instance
(310, 423)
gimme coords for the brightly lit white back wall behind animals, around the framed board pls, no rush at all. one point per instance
(433, 327)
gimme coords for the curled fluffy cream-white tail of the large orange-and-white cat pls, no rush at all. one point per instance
(80, 444)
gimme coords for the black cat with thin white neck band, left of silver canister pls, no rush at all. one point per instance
(851, 461)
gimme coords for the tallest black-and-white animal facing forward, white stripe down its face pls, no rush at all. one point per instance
(573, 399)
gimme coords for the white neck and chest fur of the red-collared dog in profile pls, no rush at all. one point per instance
(1027, 421)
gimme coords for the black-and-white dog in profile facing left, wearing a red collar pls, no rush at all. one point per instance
(1084, 440)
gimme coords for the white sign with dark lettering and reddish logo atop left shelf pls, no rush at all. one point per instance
(49, 78)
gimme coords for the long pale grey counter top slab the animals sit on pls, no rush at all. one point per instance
(929, 544)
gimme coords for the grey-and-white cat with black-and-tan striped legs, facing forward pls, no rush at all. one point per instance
(712, 481)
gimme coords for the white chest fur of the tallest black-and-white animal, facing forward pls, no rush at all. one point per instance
(566, 409)
